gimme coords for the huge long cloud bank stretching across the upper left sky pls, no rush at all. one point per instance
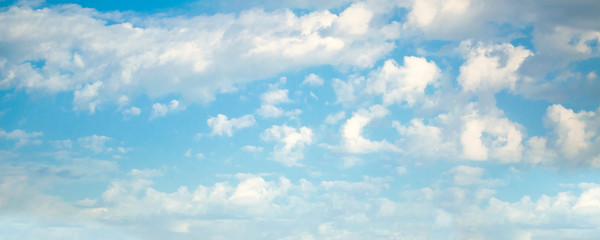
(160, 56)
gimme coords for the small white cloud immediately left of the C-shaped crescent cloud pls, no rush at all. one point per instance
(290, 143)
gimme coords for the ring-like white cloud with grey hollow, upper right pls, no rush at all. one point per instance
(490, 67)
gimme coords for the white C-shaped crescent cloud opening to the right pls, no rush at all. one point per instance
(352, 139)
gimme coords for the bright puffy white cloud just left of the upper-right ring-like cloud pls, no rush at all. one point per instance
(399, 84)
